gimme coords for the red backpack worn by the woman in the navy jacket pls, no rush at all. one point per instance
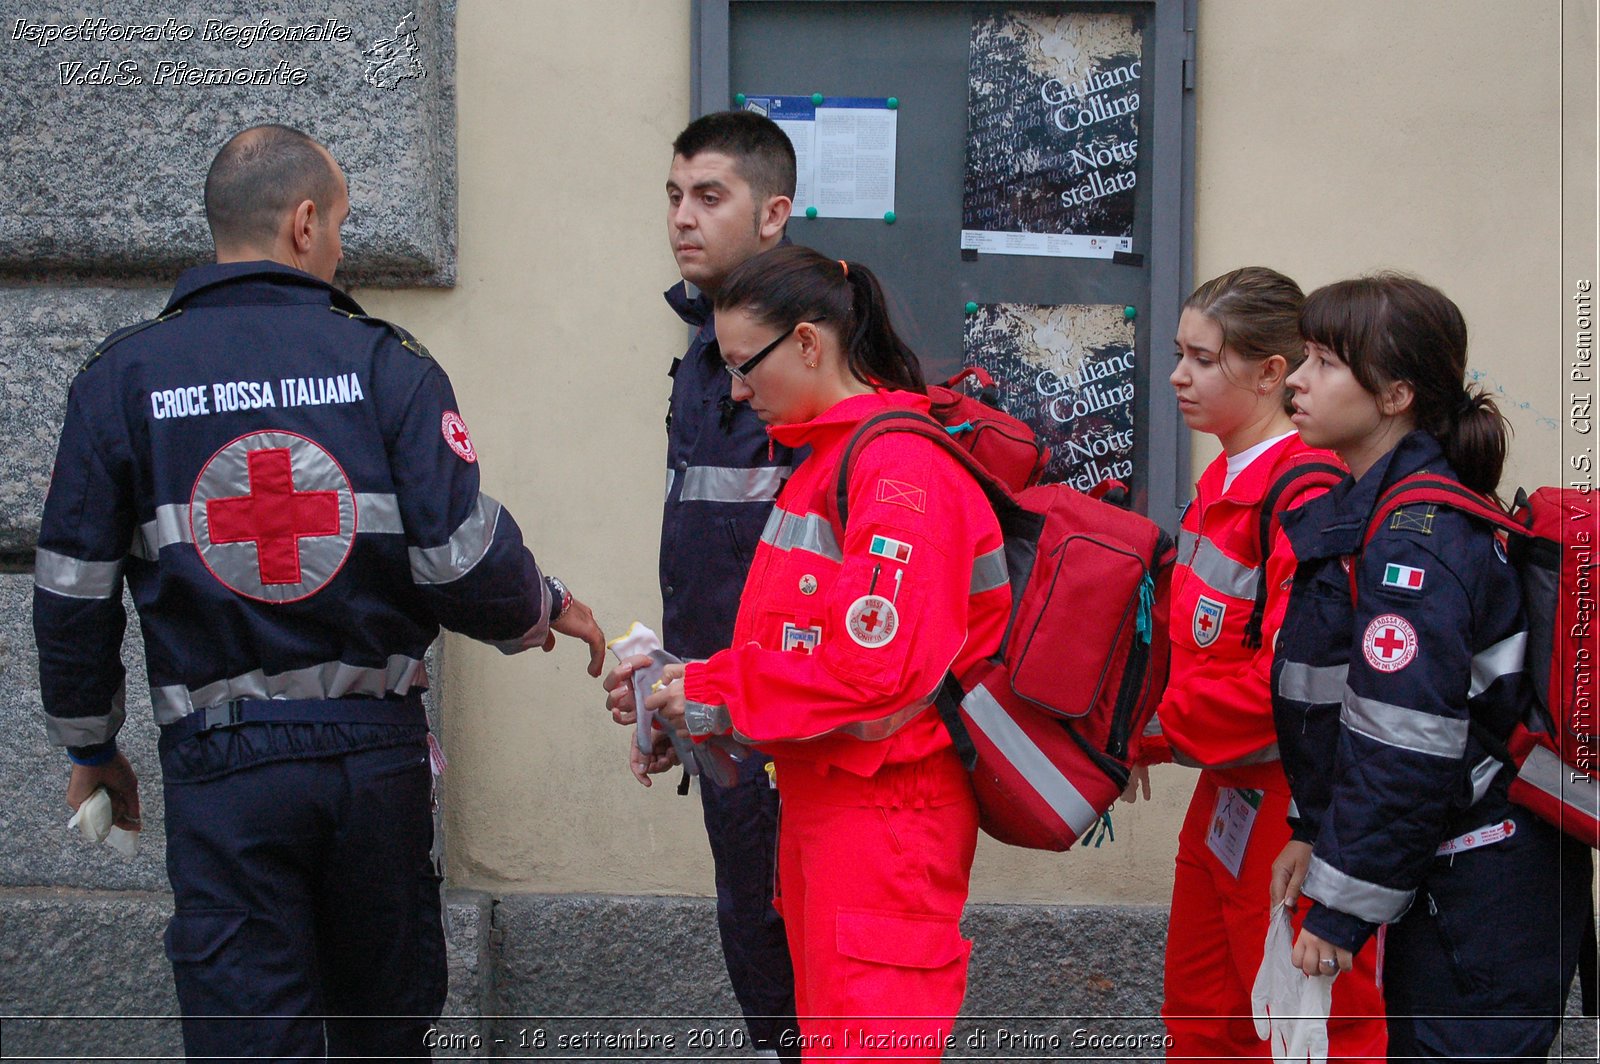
(1553, 542)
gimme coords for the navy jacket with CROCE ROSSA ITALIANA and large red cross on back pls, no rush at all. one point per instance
(292, 497)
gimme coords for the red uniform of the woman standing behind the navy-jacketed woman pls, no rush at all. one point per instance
(1217, 714)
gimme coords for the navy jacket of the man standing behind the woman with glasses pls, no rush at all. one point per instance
(722, 479)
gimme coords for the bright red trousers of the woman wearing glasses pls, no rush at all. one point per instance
(871, 881)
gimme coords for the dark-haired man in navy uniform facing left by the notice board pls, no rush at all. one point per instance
(730, 191)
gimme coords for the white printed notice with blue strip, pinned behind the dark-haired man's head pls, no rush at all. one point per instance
(844, 153)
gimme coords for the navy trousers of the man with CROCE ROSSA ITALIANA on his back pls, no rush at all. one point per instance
(308, 911)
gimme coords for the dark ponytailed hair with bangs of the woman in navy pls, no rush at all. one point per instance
(1391, 329)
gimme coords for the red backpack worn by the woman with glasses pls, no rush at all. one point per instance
(1049, 727)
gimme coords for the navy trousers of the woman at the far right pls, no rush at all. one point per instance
(1481, 967)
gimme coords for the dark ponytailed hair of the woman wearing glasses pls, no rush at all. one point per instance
(791, 284)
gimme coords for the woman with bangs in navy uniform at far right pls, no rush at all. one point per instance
(1398, 678)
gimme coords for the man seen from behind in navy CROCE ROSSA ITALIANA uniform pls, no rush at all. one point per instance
(292, 495)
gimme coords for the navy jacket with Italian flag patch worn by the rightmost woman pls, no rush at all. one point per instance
(1374, 700)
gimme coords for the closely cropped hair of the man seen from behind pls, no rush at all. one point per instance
(262, 174)
